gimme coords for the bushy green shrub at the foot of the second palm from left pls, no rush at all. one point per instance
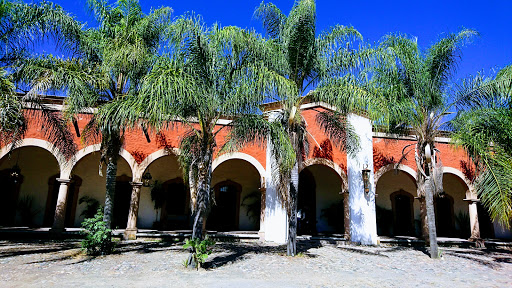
(98, 238)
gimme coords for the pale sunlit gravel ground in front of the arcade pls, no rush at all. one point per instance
(156, 264)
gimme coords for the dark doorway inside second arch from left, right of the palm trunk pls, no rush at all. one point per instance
(122, 199)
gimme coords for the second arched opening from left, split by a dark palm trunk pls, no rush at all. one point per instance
(93, 188)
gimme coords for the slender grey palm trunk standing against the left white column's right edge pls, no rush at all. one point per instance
(292, 217)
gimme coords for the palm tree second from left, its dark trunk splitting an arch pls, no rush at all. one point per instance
(107, 63)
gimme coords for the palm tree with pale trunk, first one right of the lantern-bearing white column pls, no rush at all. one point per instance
(415, 85)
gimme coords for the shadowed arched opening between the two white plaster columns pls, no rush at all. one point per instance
(320, 203)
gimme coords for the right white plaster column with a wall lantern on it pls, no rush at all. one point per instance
(363, 224)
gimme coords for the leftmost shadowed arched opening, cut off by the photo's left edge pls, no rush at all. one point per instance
(25, 200)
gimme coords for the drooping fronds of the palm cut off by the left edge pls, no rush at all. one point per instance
(21, 26)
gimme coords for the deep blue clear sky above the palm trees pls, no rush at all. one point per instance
(426, 20)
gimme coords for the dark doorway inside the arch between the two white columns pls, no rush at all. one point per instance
(306, 204)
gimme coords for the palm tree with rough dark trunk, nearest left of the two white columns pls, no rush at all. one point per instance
(207, 74)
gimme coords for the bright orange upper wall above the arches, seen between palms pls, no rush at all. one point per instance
(386, 150)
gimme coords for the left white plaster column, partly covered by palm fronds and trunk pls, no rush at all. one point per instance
(276, 219)
